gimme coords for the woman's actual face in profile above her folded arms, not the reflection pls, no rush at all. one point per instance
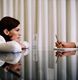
(15, 33)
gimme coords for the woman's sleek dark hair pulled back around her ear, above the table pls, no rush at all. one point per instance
(8, 23)
